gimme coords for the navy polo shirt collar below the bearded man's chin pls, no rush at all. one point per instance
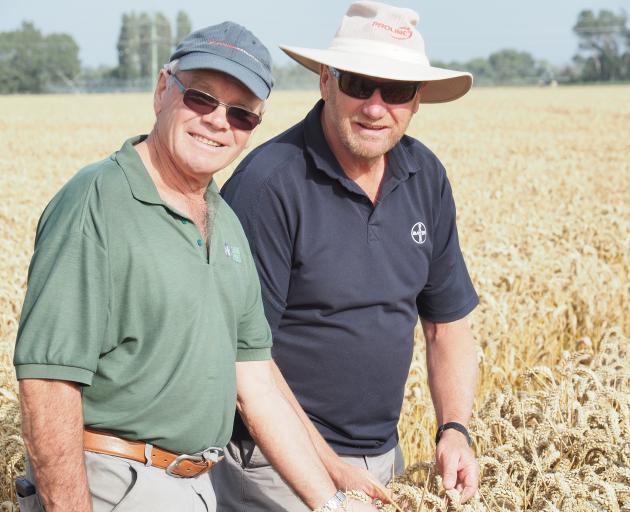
(400, 164)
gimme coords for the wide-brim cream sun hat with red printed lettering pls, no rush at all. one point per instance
(381, 41)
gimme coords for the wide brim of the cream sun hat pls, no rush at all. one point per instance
(442, 85)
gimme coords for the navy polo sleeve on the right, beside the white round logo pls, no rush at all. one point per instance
(449, 294)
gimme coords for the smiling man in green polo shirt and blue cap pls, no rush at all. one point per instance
(143, 326)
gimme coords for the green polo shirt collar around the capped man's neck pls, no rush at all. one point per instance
(140, 182)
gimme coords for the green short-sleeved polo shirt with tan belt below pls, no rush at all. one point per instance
(126, 299)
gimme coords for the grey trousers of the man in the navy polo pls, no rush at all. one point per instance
(246, 482)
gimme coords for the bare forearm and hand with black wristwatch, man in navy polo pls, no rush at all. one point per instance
(452, 371)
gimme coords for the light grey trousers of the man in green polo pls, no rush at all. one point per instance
(123, 485)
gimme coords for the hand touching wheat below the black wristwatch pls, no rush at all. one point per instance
(457, 464)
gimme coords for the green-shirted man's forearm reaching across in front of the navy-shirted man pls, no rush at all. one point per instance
(281, 436)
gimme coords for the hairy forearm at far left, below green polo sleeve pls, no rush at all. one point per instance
(52, 428)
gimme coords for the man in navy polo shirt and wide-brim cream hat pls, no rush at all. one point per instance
(352, 226)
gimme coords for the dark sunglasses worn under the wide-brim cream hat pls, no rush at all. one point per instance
(362, 88)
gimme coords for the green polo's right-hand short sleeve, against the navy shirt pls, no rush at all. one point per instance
(253, 335)
